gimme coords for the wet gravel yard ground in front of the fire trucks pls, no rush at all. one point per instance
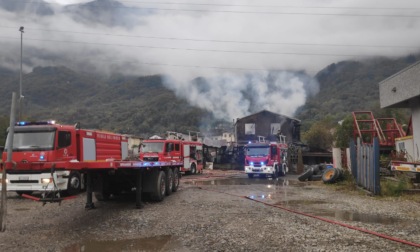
(209, 214)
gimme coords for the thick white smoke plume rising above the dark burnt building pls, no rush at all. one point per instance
(232, 96)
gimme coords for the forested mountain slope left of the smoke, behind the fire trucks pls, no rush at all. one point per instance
(136, 105)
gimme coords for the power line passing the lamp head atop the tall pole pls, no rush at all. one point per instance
(215, 41)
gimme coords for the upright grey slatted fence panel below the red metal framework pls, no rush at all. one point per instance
(365, 165)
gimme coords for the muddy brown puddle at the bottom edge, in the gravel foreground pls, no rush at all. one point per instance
(158, 243)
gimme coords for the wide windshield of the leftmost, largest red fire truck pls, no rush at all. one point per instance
(33, 141)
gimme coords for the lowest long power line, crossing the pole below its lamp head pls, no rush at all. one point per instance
(193, 49)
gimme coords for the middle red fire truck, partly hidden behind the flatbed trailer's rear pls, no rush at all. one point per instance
(189, 153)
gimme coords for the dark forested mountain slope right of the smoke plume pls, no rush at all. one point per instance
(350, 86)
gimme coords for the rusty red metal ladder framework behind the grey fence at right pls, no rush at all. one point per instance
(366, 127)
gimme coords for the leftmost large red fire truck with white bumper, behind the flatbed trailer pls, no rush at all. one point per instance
(36, 145)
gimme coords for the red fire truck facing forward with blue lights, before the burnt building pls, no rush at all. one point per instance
(266, 158)
